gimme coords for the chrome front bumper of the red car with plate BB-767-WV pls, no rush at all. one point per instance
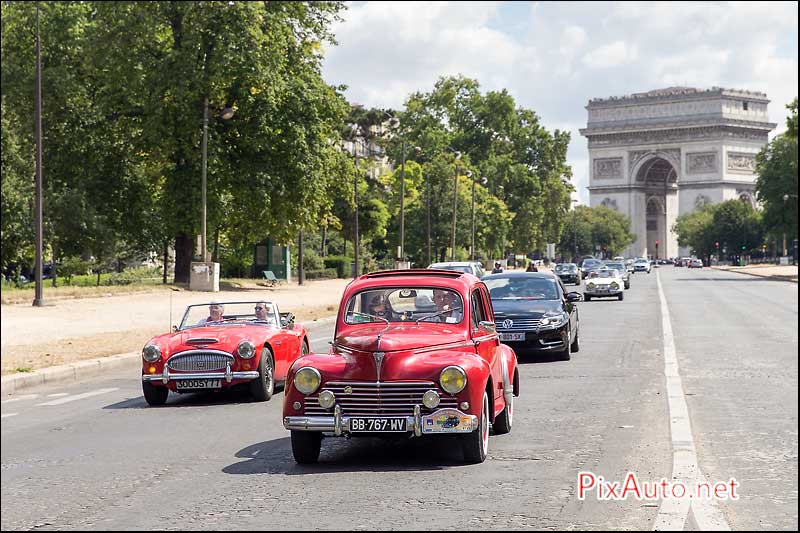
(339, 424)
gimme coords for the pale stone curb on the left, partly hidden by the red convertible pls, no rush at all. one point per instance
(92, 367)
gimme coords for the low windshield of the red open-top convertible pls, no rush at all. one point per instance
(215, 313)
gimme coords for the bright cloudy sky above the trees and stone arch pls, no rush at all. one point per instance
(553, 57)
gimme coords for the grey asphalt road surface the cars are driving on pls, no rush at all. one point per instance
(71, 460)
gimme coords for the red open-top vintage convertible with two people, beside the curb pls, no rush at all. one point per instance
(220, 345)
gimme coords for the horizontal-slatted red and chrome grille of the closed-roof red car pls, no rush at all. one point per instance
(386, 398)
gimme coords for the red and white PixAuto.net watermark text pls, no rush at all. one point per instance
(664, 489)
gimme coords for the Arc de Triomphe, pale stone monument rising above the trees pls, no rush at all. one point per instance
(656, 155)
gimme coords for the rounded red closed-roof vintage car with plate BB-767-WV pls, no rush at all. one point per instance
(414, 352)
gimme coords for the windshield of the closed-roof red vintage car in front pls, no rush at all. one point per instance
(404, 304)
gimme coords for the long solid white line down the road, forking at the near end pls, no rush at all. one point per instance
(673, 512)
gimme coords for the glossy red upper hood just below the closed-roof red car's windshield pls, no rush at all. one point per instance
(400, 337)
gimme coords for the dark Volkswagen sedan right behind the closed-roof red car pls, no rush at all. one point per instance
(534, 311)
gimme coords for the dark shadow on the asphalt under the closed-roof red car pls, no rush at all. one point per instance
(365, 454)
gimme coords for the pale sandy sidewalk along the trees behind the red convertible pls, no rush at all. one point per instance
(81, 329)
